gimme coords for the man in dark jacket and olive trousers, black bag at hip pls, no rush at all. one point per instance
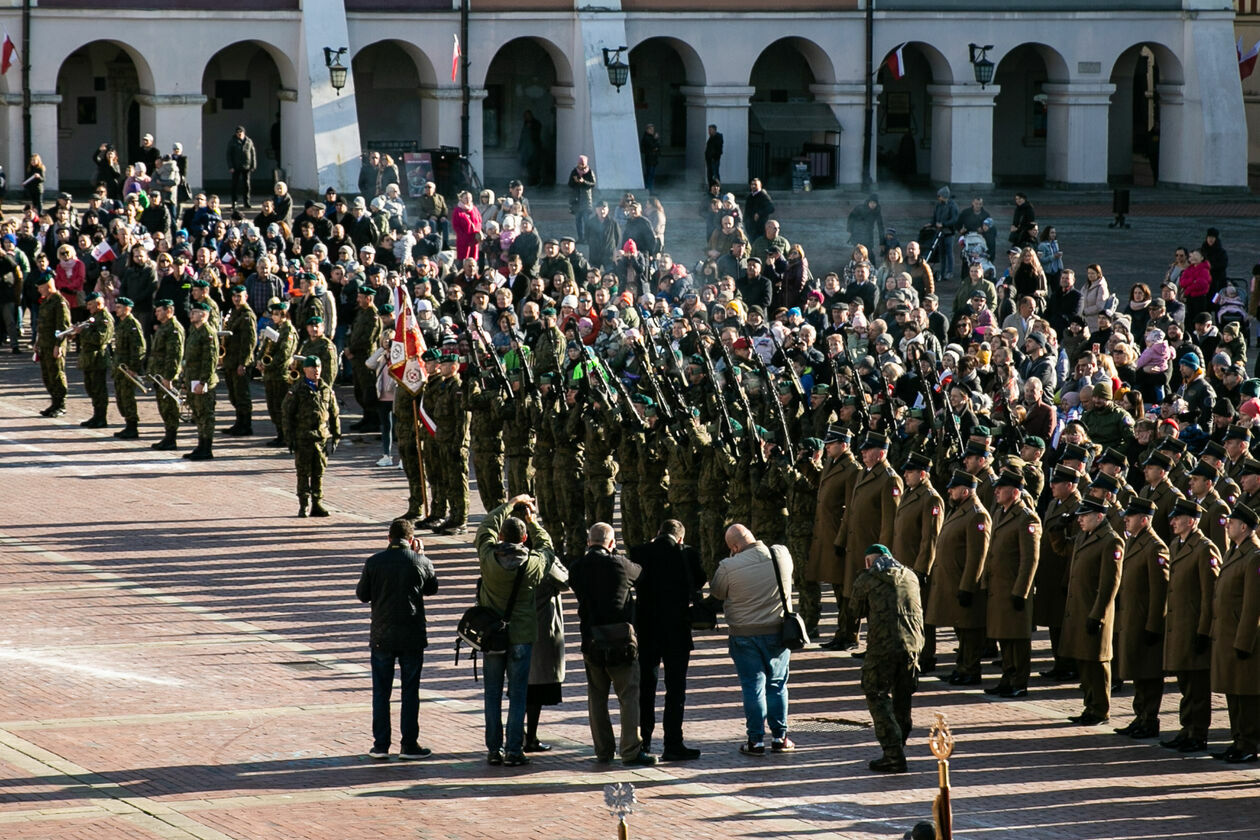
(605, 609)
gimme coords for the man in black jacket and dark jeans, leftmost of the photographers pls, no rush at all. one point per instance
(395, 582)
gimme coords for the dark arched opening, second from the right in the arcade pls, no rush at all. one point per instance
(1021, 118)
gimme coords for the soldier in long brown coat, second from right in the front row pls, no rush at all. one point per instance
(1194, 565)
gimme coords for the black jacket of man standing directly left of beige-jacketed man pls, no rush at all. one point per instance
(671, 582)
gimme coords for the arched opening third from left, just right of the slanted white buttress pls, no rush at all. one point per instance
(387, 96)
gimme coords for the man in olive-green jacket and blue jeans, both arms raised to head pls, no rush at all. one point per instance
(511, 545)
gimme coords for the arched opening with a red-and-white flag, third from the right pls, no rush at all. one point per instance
(904, 130)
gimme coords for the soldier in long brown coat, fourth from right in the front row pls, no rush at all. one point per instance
(1093, 582)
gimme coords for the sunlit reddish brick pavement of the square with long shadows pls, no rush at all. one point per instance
(185, 659)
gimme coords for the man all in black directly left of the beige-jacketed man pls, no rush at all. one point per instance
(671, 582)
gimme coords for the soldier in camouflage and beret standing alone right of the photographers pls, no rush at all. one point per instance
(888, 595)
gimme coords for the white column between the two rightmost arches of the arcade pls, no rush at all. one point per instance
(1077, 135)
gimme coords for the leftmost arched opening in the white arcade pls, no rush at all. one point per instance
(99, 85)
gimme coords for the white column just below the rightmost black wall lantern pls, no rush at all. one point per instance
(963, 135)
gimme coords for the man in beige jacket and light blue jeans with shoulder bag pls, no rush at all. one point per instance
(745, 582)
